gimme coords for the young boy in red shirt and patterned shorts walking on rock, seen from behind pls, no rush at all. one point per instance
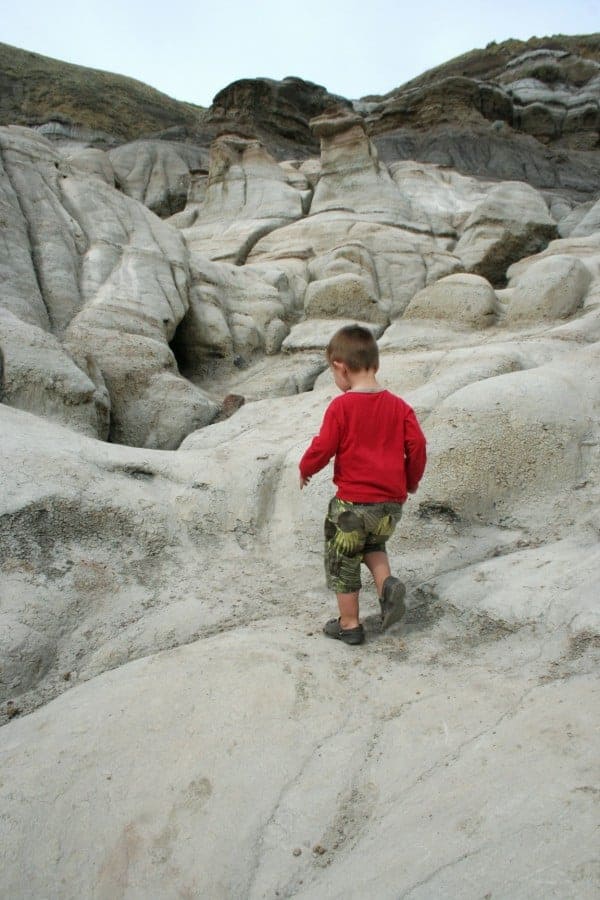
(380, 456)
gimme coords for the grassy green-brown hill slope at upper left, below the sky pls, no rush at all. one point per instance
(35, 89)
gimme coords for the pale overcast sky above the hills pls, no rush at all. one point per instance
(191, 50)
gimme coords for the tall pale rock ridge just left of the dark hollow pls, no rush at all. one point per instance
(134, 281)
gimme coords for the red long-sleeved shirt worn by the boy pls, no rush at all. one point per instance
(379, 448)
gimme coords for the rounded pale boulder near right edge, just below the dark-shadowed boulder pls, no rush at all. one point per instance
(550, 288)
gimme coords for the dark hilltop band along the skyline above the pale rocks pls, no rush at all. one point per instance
(517, 110)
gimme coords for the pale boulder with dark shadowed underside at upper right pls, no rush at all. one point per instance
(512, 222)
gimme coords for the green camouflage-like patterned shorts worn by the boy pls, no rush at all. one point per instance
(351, 530)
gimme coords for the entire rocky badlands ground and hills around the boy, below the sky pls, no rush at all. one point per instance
(174, 724)
